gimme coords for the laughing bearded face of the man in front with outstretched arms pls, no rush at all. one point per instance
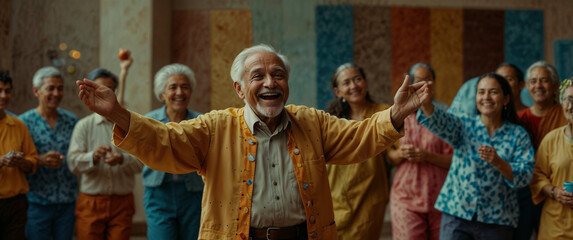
(265, 85)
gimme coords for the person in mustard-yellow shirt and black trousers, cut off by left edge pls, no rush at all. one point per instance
(18, 157)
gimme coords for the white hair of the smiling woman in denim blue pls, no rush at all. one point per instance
(169, 70)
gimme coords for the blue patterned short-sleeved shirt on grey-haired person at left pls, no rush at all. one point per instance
(48, 185)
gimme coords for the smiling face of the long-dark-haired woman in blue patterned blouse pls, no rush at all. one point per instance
(490, 98)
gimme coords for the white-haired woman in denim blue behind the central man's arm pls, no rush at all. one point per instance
(170, 217)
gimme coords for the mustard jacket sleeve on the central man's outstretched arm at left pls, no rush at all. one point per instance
(173, 147)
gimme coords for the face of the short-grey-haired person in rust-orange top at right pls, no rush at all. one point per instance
(541, 86)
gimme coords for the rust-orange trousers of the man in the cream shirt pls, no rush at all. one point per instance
(102, 217)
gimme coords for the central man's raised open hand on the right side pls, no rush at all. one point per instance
(408, 99)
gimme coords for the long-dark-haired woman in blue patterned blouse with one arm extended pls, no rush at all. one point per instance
(493, 156)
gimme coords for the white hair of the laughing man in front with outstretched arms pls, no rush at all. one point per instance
(238, 67)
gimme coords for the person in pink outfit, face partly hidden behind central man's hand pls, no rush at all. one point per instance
(422, 164)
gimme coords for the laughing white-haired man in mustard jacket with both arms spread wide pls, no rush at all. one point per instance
(264, 164)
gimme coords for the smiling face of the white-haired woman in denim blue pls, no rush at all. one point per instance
(177, 93)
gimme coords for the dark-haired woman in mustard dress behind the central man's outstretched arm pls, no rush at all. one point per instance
(359, 191)
